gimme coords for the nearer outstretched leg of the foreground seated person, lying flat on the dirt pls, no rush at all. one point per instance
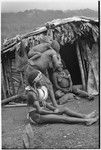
(64, 119)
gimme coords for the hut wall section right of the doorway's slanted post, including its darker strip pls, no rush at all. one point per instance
(91, 57)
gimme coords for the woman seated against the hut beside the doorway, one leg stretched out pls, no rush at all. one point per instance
(63, 84)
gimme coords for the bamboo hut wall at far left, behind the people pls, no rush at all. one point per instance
(11, 78)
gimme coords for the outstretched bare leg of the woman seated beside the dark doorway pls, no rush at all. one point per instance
(81, 93)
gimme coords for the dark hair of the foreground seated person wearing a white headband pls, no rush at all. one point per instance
(32, 75)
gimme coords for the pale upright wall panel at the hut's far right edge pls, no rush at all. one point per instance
(93, 74)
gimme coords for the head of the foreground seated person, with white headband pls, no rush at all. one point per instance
(34, 77)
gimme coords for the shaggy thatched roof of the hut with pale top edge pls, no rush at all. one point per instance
(65, 31)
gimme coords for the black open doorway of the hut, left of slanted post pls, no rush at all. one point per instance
(69, 56)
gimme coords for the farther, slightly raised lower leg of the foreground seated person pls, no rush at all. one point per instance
(69, 112)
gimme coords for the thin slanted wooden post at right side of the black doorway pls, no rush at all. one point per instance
(81, 67)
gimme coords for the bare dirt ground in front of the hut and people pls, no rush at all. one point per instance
(51, 136)
